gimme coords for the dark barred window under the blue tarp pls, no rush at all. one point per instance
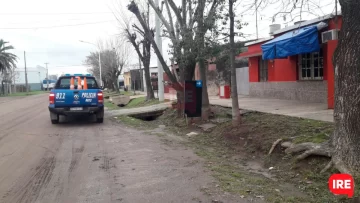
(311, 66)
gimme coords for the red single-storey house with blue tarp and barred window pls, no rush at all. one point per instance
(297, 74)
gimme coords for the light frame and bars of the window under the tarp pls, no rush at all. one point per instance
(312, 69)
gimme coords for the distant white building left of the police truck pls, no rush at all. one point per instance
(35, 77)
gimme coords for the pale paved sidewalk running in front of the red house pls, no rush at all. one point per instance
(316, 111)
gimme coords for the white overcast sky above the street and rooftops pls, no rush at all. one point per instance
(49, 30)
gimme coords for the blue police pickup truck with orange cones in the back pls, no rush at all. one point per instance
(76, 94)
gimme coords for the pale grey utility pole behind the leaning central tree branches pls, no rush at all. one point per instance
(159, 45)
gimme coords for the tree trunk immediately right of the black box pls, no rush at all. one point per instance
(205, 110)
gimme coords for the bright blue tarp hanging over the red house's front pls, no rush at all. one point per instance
(299, 41)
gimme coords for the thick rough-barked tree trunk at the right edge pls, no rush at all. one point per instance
(346, 137)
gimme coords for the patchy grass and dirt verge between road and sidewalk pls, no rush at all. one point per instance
(238, 156)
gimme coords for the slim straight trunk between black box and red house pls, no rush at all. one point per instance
(234, 96)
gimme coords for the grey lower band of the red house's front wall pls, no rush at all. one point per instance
(308, 91)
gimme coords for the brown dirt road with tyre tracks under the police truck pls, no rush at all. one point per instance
(90, 162)
